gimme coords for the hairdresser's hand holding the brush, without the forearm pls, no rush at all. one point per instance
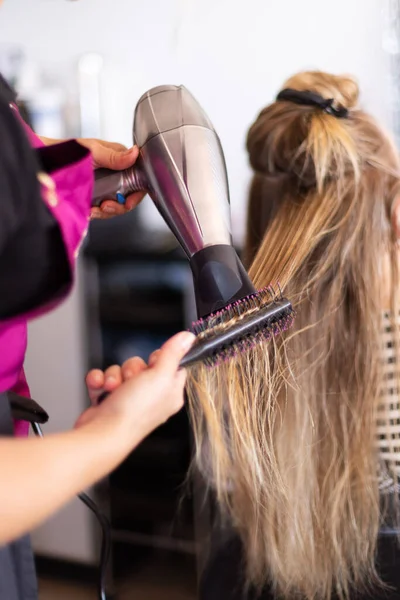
(148, 398)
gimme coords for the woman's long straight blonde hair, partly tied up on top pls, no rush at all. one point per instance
(286, 432)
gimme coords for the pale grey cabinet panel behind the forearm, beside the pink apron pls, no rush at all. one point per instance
(55, 369)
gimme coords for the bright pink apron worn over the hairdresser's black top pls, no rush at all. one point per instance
(70, 205)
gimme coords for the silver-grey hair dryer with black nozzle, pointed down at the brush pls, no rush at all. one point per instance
(181, 165)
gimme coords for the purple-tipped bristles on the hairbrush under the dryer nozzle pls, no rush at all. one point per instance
(210, 327)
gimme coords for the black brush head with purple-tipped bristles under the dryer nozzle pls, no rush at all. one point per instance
(239, 327)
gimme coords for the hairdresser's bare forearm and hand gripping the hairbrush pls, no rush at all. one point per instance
(42, 475)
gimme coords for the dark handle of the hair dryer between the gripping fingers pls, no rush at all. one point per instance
(116, 185)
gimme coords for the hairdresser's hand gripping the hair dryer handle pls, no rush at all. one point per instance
(114, 156)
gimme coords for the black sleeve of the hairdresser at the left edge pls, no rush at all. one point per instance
(33, 263)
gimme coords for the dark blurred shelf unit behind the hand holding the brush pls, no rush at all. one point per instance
(142, 302)
